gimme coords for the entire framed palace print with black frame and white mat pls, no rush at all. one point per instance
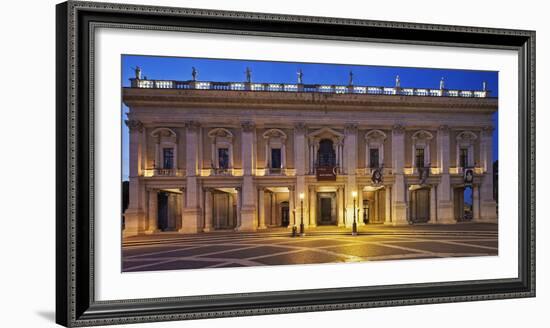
(215, 164)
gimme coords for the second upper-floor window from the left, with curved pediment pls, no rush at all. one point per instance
(222, 150)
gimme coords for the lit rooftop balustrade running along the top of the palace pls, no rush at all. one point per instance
(310, 88)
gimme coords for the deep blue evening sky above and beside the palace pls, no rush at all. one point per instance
(224, 70)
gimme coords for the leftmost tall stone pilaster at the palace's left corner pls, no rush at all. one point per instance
(134, 216)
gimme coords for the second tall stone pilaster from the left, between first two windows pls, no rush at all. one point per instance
(192, 211)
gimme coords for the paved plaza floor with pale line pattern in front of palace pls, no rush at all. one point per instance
(173, 251)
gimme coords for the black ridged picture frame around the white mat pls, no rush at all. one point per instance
(75, 302)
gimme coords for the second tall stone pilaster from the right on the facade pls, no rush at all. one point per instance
(444, 198)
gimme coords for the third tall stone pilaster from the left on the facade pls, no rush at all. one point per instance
(248, 193)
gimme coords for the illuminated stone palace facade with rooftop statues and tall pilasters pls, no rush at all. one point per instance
(249, 156)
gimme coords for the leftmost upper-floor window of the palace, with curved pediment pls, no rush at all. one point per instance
(166, 149)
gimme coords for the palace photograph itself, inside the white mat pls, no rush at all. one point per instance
(240, 163)
